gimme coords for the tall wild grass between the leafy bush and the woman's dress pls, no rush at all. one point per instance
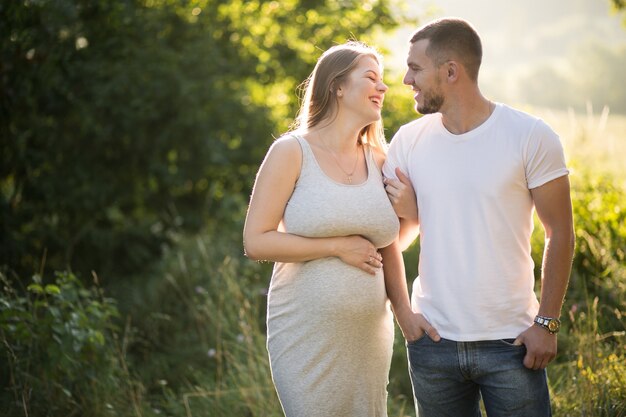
(206, 312)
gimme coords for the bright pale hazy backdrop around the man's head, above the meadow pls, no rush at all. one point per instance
(560, 53)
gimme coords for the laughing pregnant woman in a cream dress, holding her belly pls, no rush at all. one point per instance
(320, 212)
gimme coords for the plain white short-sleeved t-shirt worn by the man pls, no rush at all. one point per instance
(475, 209)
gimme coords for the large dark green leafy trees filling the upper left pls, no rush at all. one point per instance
(123, 123)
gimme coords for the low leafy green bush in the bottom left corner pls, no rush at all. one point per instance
(61, 356)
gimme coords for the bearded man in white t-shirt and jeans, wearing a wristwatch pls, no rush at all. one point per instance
(466, 177)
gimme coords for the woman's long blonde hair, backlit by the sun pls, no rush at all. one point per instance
(320, 100)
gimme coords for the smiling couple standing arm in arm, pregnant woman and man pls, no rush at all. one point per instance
(331, 206)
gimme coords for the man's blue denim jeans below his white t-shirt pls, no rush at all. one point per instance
(449, 378)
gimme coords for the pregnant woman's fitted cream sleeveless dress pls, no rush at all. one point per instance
(329, 324)
